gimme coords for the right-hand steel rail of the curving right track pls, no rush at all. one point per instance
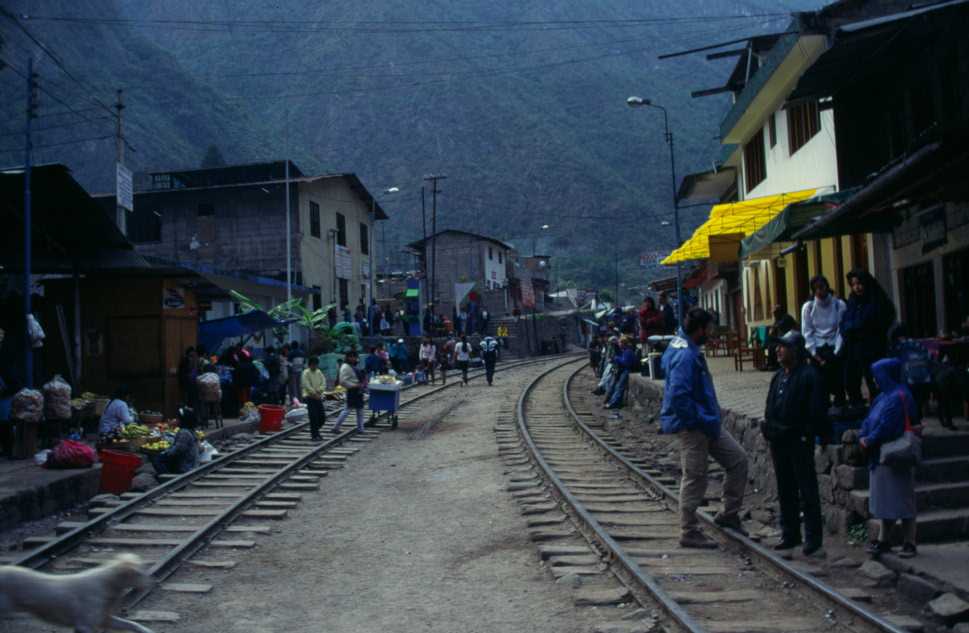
(821, 588)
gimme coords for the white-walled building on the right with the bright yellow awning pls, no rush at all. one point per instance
(778, 153)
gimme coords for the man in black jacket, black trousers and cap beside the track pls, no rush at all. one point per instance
(796, 413)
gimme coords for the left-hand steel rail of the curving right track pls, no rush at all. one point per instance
(672, 608)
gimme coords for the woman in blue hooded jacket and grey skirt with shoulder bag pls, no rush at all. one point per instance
(892, 488)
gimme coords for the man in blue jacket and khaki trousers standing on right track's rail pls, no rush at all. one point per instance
(690, 409)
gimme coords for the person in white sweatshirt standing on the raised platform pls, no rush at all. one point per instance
(820, 325)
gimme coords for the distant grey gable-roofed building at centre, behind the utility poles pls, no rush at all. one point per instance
(466, 258)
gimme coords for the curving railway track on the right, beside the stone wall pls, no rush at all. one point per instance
(631, 518)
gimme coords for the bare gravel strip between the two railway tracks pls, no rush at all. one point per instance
(413, 535)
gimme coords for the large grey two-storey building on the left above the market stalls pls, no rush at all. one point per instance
(234, 219)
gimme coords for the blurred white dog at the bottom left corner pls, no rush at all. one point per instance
(85, 601)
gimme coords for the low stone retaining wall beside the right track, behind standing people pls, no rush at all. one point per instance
(838, 482)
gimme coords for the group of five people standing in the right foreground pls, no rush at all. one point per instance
(848, 359)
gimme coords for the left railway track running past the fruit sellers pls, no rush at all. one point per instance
(220, 506)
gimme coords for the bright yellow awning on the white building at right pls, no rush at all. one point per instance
(719, 237)
